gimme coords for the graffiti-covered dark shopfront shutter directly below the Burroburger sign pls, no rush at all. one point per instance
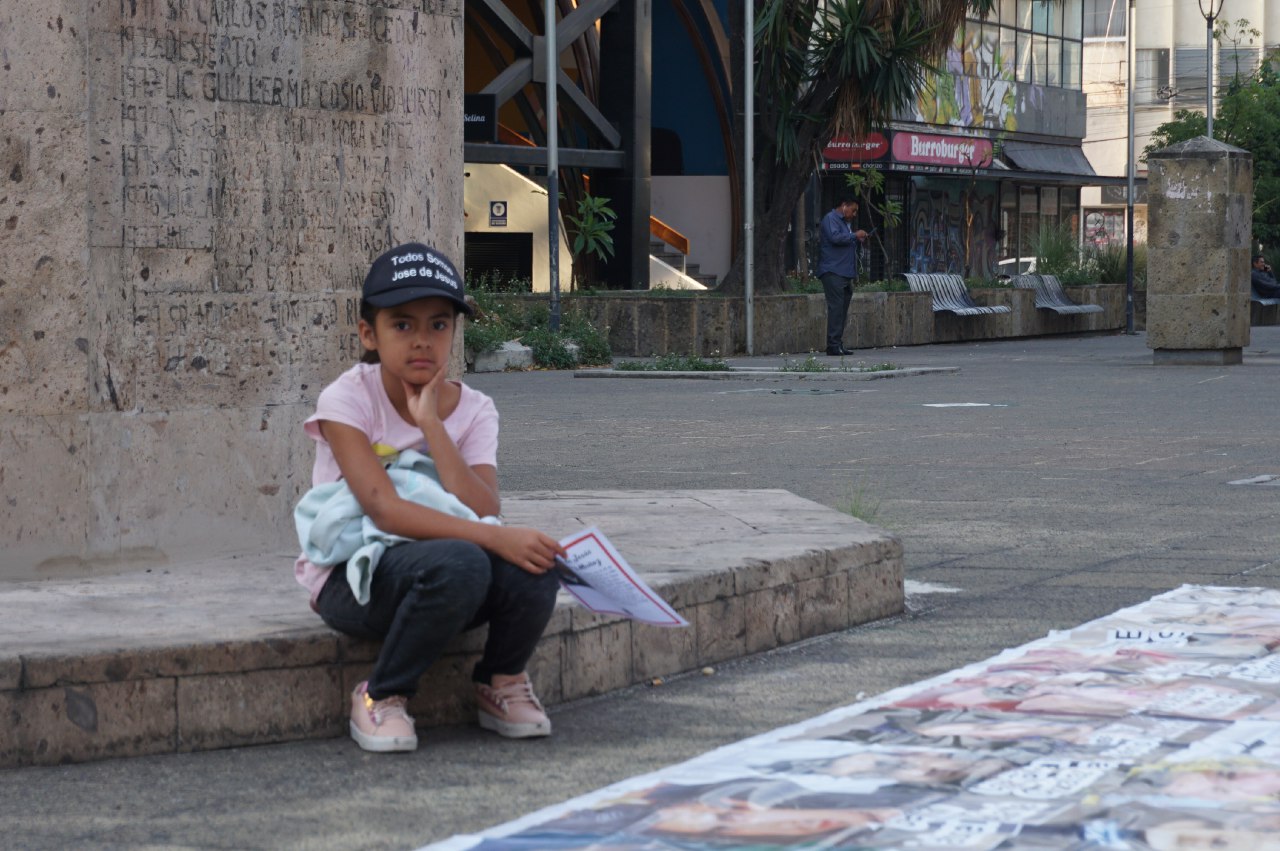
(940, 221)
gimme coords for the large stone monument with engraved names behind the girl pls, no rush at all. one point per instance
(193, 194)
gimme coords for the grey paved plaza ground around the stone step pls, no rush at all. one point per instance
(1094, 481)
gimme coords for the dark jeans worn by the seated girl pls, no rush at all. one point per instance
(426, 593)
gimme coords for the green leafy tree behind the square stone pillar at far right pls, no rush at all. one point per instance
(1249, 118)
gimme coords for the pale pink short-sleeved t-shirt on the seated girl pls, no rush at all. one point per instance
(359, 400)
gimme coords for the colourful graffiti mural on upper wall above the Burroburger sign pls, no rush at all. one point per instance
(976, 88)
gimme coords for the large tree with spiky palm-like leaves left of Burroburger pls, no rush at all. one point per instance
(826, 68)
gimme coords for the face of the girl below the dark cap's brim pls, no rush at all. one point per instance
(413, 341)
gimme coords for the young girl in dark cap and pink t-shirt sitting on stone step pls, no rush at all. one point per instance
(452, 574)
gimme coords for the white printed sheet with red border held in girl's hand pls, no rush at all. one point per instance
(598, 578)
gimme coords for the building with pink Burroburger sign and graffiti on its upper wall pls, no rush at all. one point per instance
(989, 154)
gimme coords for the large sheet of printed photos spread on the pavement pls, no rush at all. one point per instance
(1153, 729)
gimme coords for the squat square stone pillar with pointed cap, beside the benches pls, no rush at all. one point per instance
(1199, 239)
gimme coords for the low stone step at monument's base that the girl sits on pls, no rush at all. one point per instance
(226, 652)
